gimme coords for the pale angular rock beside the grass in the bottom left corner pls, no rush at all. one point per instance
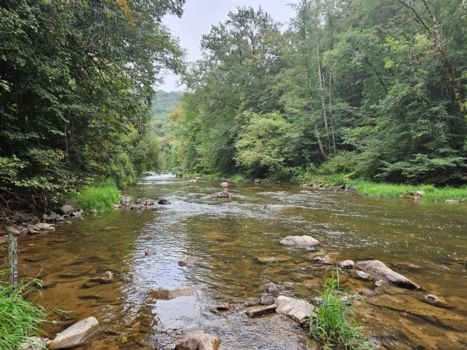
(76, 335)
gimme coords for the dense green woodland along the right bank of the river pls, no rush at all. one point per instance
(372, 89)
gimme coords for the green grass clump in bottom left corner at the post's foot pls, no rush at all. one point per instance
(19, 318)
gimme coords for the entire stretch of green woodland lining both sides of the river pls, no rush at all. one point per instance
(372, 89)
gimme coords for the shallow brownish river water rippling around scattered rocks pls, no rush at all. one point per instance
(425, 242)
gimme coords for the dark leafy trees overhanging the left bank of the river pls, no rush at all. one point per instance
(76, 83)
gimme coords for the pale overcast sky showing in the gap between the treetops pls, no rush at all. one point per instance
(200, 15)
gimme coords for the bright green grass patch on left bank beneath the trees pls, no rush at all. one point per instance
(101, 197)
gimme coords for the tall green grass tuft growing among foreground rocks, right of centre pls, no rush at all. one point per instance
(332, 323)
